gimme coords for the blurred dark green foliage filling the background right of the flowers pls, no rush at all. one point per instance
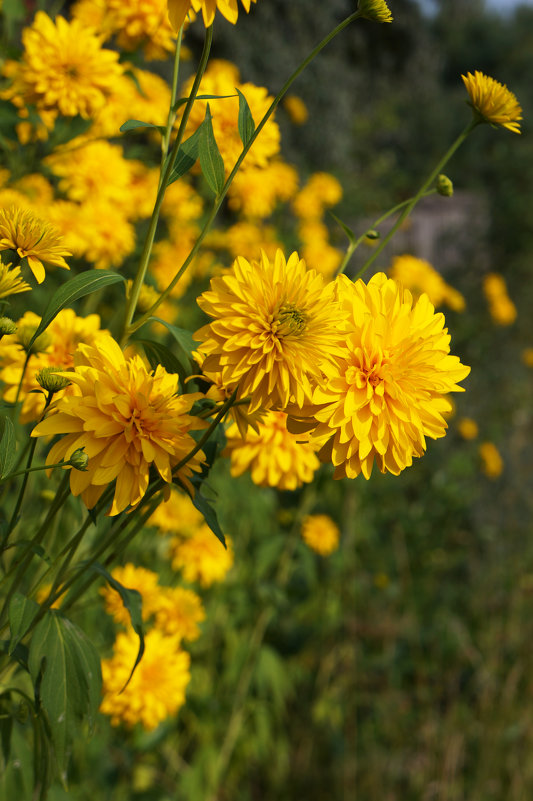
(398, 668)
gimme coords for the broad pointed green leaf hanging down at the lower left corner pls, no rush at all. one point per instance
(67, 665)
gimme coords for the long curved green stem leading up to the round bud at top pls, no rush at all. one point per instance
(219, 199)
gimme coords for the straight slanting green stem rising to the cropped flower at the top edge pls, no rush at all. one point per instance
(131, 304)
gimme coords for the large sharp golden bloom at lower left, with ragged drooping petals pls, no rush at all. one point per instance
(127, 419)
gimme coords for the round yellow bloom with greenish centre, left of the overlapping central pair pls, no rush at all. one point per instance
(275, 323)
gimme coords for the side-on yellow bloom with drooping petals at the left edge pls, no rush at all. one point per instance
(32, 238)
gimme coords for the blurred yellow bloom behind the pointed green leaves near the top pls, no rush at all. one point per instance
(222, 78)
